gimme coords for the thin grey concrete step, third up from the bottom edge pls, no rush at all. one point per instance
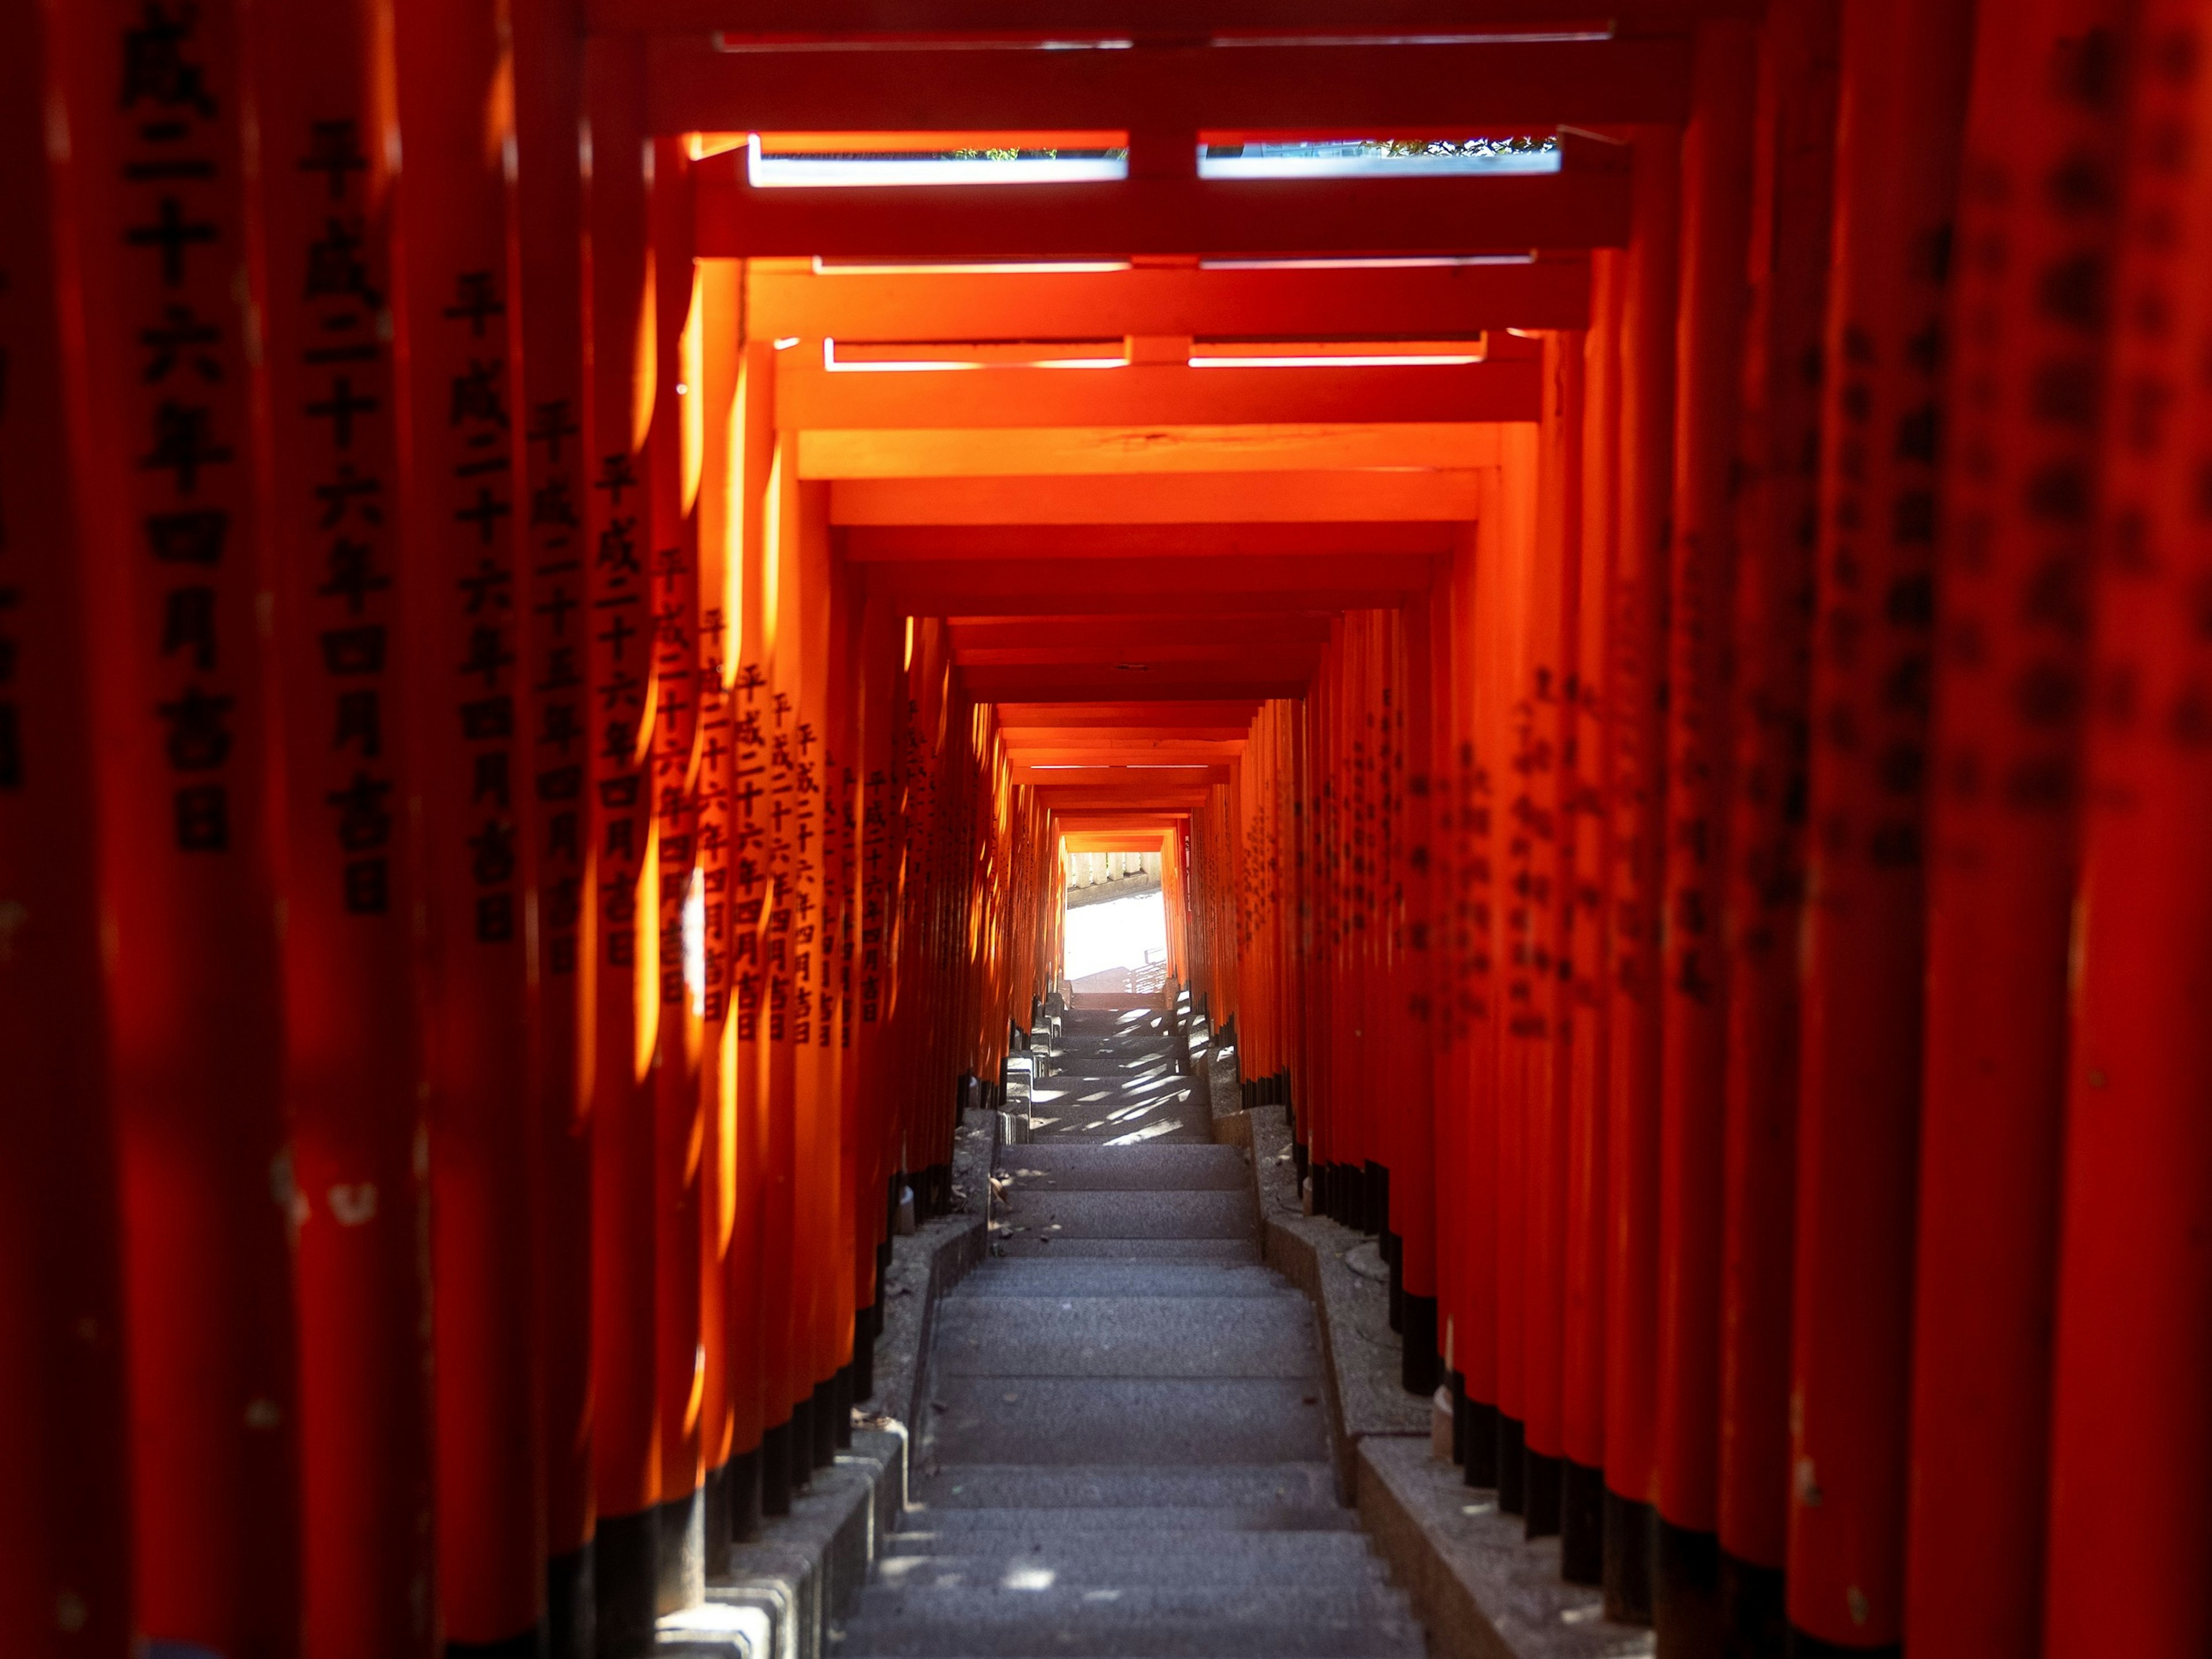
(1016, 1488)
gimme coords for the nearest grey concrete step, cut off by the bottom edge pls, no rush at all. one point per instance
(1238, 1629)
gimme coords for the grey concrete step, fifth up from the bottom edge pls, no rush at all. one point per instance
(1125, 1337)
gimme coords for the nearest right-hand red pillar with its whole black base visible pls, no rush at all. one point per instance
(1638, 793)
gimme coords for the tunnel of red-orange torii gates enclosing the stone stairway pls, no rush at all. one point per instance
(547, 691)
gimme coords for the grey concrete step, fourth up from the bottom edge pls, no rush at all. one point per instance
(1127, 1421)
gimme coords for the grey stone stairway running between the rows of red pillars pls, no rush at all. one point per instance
(1129, 1448)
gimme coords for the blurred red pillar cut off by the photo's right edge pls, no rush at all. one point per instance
(2131, 1448)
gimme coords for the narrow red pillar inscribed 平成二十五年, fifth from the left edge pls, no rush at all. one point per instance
(547, 304)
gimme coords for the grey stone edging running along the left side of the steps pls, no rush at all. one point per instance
(789, 1587)
